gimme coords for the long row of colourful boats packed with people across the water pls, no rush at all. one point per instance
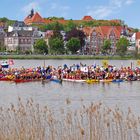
(75, 73)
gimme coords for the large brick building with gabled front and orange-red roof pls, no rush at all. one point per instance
(95, 37)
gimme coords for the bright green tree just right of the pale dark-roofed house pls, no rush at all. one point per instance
(40, 46)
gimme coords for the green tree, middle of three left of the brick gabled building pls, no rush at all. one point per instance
(56, 46)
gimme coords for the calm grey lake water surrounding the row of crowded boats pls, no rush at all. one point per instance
(124, 95)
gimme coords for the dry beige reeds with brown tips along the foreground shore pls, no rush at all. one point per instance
(30, 121)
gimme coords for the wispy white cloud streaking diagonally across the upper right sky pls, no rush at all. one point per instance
(112, 7)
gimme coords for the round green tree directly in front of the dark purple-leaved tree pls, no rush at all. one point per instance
(73, 45)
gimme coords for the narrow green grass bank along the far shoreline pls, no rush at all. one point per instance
(80, 57)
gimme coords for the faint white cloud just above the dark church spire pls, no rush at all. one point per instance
(33, 5)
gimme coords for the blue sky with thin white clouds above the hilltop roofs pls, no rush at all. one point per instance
(127, 10)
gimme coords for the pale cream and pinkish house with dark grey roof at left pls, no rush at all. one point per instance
(21, 40)
